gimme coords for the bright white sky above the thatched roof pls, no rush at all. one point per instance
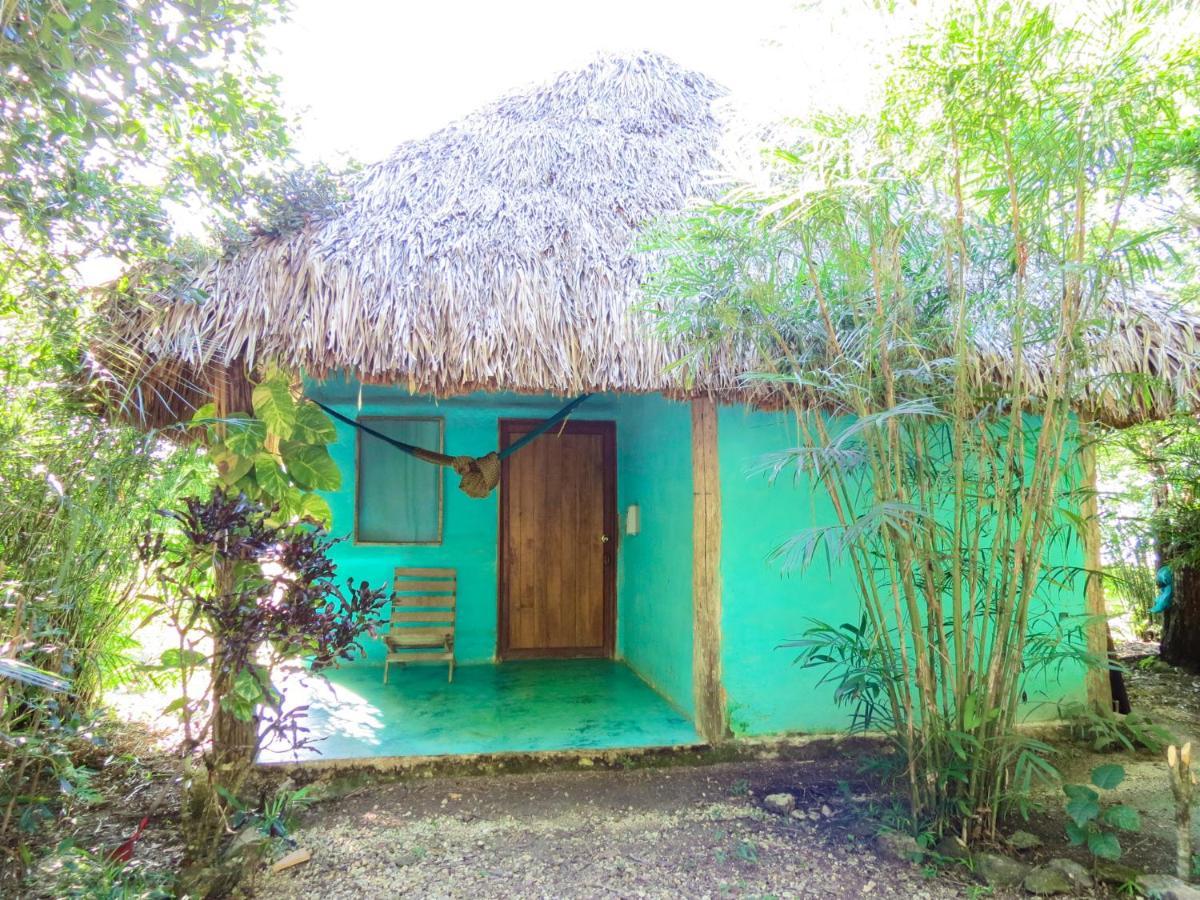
(367, 75)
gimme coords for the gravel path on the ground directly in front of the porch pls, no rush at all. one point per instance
(641, 833)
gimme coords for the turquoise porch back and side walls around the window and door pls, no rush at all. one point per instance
(655, 568)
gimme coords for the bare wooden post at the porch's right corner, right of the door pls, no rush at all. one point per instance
(706, 575)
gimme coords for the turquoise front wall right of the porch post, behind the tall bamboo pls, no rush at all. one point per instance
(763, 605)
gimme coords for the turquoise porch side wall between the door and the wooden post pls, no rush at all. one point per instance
(655, 579)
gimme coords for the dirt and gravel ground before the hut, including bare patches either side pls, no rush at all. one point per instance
(599, 829)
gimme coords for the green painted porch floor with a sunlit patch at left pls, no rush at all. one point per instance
(514, 707)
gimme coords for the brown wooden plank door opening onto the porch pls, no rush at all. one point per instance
(559, 542)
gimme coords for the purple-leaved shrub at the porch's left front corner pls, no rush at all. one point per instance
(263, 595)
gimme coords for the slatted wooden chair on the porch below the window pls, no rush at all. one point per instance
(423, 617)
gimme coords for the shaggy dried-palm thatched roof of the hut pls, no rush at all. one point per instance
(499, 254)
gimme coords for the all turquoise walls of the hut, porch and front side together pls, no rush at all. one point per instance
(761, 608)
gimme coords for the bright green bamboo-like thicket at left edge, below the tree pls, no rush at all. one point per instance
(73, 490)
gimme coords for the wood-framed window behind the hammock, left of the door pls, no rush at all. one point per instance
(399, 496)
